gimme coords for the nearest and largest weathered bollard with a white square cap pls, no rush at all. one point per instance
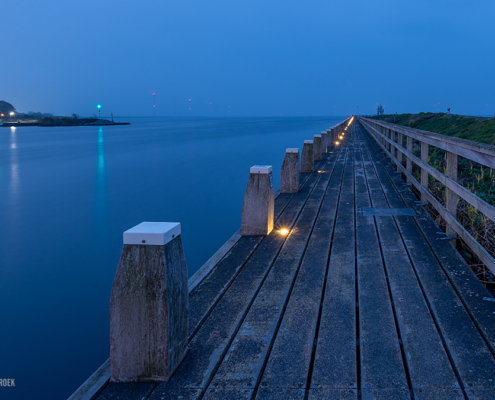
(149, 304)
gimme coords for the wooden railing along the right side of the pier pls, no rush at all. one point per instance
(390, 137)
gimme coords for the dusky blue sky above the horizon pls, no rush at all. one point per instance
(261, 58)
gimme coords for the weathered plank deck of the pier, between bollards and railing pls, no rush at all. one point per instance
(348, 305)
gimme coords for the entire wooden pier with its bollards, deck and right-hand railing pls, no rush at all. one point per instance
(339, 287)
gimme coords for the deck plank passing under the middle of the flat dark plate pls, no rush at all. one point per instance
(427, 362)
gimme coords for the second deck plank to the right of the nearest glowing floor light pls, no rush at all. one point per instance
(297, 331)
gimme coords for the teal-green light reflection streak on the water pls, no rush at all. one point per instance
(101, 189)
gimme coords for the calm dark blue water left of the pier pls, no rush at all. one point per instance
(66, 196)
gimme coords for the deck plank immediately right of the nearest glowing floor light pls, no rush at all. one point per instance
(245, 359)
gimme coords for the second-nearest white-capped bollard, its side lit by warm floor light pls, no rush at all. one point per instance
(258, 209)
